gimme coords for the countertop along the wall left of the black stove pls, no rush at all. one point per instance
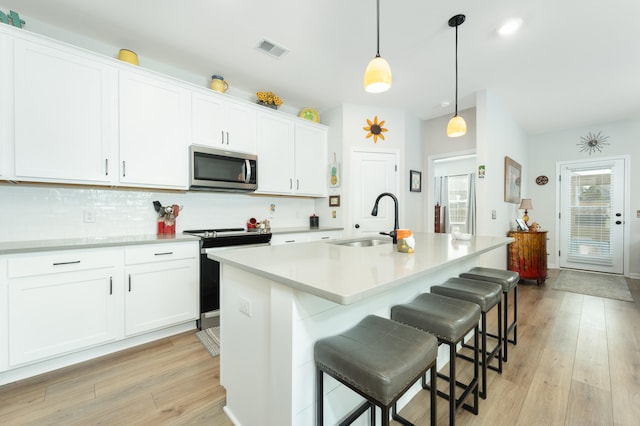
(10, 247)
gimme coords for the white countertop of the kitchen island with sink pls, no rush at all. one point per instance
(345, 274)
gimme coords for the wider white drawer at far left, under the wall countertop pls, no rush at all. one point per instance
(61, 261)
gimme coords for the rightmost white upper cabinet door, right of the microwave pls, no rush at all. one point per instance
(310, 160)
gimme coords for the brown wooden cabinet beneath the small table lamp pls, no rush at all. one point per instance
(527, 255)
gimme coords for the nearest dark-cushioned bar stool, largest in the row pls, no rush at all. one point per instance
(379, 359)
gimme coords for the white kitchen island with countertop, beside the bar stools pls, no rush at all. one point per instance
(277, 301)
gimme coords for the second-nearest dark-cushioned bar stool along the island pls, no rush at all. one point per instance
(450, 320)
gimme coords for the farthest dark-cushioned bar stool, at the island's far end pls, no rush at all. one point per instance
(509, 281)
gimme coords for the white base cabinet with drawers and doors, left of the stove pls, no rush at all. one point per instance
(62, 302)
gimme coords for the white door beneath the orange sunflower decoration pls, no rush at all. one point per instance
(373, 173)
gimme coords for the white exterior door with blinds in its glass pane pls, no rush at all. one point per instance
(592, 215)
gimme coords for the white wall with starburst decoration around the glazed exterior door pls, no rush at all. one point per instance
(546, 150)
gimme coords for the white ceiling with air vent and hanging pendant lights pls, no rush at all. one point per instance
(574, 63)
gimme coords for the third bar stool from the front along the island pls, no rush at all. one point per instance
(486, 295)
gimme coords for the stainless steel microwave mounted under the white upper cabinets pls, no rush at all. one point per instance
(219, 170)
